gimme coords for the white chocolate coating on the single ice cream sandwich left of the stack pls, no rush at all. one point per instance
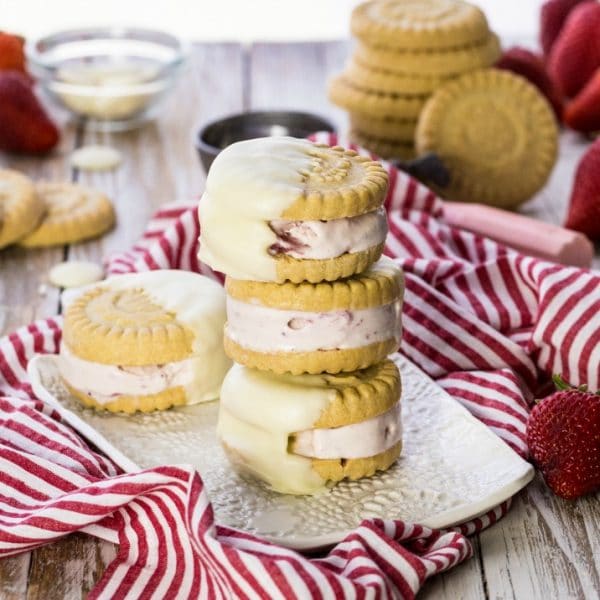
(199, 304)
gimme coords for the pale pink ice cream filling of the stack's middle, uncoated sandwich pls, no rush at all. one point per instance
(267, 329)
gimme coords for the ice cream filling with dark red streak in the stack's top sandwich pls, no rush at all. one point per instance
(328, 239)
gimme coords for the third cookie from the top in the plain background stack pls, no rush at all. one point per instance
(378, 80)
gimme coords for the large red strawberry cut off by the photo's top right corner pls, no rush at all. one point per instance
(575, 55)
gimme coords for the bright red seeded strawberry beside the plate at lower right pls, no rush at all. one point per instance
(563, 434)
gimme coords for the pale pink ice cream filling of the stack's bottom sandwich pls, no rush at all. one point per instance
(358, 440)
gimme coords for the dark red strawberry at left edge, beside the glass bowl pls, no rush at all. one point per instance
(24, 125)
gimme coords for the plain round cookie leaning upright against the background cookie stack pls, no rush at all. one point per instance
(496, 134)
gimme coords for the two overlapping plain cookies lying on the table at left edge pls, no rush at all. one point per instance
(50, 214)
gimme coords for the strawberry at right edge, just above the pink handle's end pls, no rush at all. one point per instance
(584, 207)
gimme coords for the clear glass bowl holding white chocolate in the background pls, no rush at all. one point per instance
(114, 77)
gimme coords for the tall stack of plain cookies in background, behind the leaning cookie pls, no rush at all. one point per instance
(406, 49)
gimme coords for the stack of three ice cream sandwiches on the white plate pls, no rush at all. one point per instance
(312, 312)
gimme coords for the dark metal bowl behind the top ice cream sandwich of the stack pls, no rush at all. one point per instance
(217, 135)
